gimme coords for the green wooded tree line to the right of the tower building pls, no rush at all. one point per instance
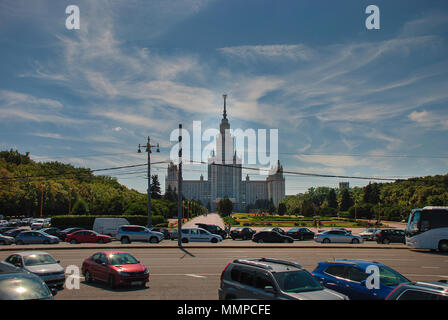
(386, 201)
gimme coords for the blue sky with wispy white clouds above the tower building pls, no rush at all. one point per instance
(346, 100)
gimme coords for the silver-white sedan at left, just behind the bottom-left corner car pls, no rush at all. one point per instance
(41, 264)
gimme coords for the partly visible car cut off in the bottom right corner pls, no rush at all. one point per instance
(420, 291)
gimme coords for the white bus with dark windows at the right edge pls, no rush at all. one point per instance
(428, 228)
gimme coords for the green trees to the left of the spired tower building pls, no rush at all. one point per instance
(26, 186)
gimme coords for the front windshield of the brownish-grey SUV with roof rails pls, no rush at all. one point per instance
(297, 281)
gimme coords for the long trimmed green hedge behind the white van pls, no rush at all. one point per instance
(84, 221)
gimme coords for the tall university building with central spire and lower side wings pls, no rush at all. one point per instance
(225, 178)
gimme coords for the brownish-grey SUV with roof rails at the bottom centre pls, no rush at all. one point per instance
(271, 279)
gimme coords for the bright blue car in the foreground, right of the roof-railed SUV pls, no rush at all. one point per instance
(349, 277)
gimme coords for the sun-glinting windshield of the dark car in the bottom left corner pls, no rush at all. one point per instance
(23, 289)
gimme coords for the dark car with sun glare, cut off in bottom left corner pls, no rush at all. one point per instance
(16, 284)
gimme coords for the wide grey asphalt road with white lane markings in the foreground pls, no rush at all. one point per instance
(193, 274)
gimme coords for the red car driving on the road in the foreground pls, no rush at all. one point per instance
(115, 268)
